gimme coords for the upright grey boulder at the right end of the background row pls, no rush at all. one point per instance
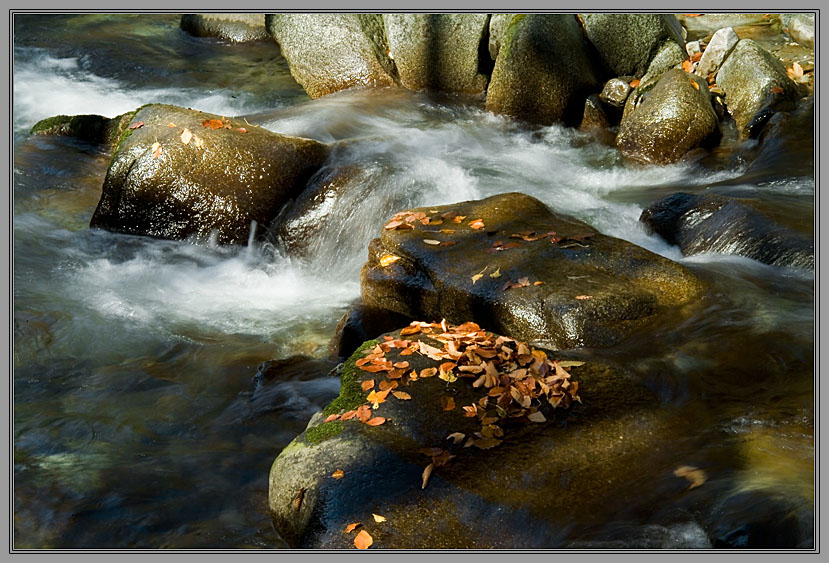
(756, 86)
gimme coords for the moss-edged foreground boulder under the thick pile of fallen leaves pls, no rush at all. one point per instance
(525, 493)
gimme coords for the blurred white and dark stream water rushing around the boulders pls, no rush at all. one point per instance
(134, 419)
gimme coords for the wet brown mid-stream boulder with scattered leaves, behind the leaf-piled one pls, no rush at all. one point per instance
(610, 289)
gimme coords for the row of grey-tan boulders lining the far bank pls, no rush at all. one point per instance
(599, 71)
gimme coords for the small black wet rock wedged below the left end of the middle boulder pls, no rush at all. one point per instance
(360, 324)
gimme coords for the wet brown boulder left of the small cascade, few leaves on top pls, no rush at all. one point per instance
(217, 184)
